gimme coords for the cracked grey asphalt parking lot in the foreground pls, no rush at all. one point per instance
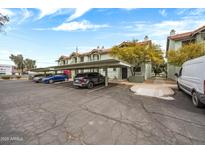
(33, 113)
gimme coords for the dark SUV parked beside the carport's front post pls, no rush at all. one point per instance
(88, 79)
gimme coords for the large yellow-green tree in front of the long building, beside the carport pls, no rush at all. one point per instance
(137, 54)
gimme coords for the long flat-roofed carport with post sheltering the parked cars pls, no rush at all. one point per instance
(105, 64)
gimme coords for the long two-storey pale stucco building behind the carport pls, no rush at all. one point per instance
(99, 54)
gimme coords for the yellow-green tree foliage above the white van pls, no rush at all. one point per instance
(186, 52)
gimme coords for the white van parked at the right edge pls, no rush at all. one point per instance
(191, 79)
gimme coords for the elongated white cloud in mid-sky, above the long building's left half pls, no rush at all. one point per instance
(83, 25)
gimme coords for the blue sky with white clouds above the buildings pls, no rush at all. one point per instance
(45, 34)
